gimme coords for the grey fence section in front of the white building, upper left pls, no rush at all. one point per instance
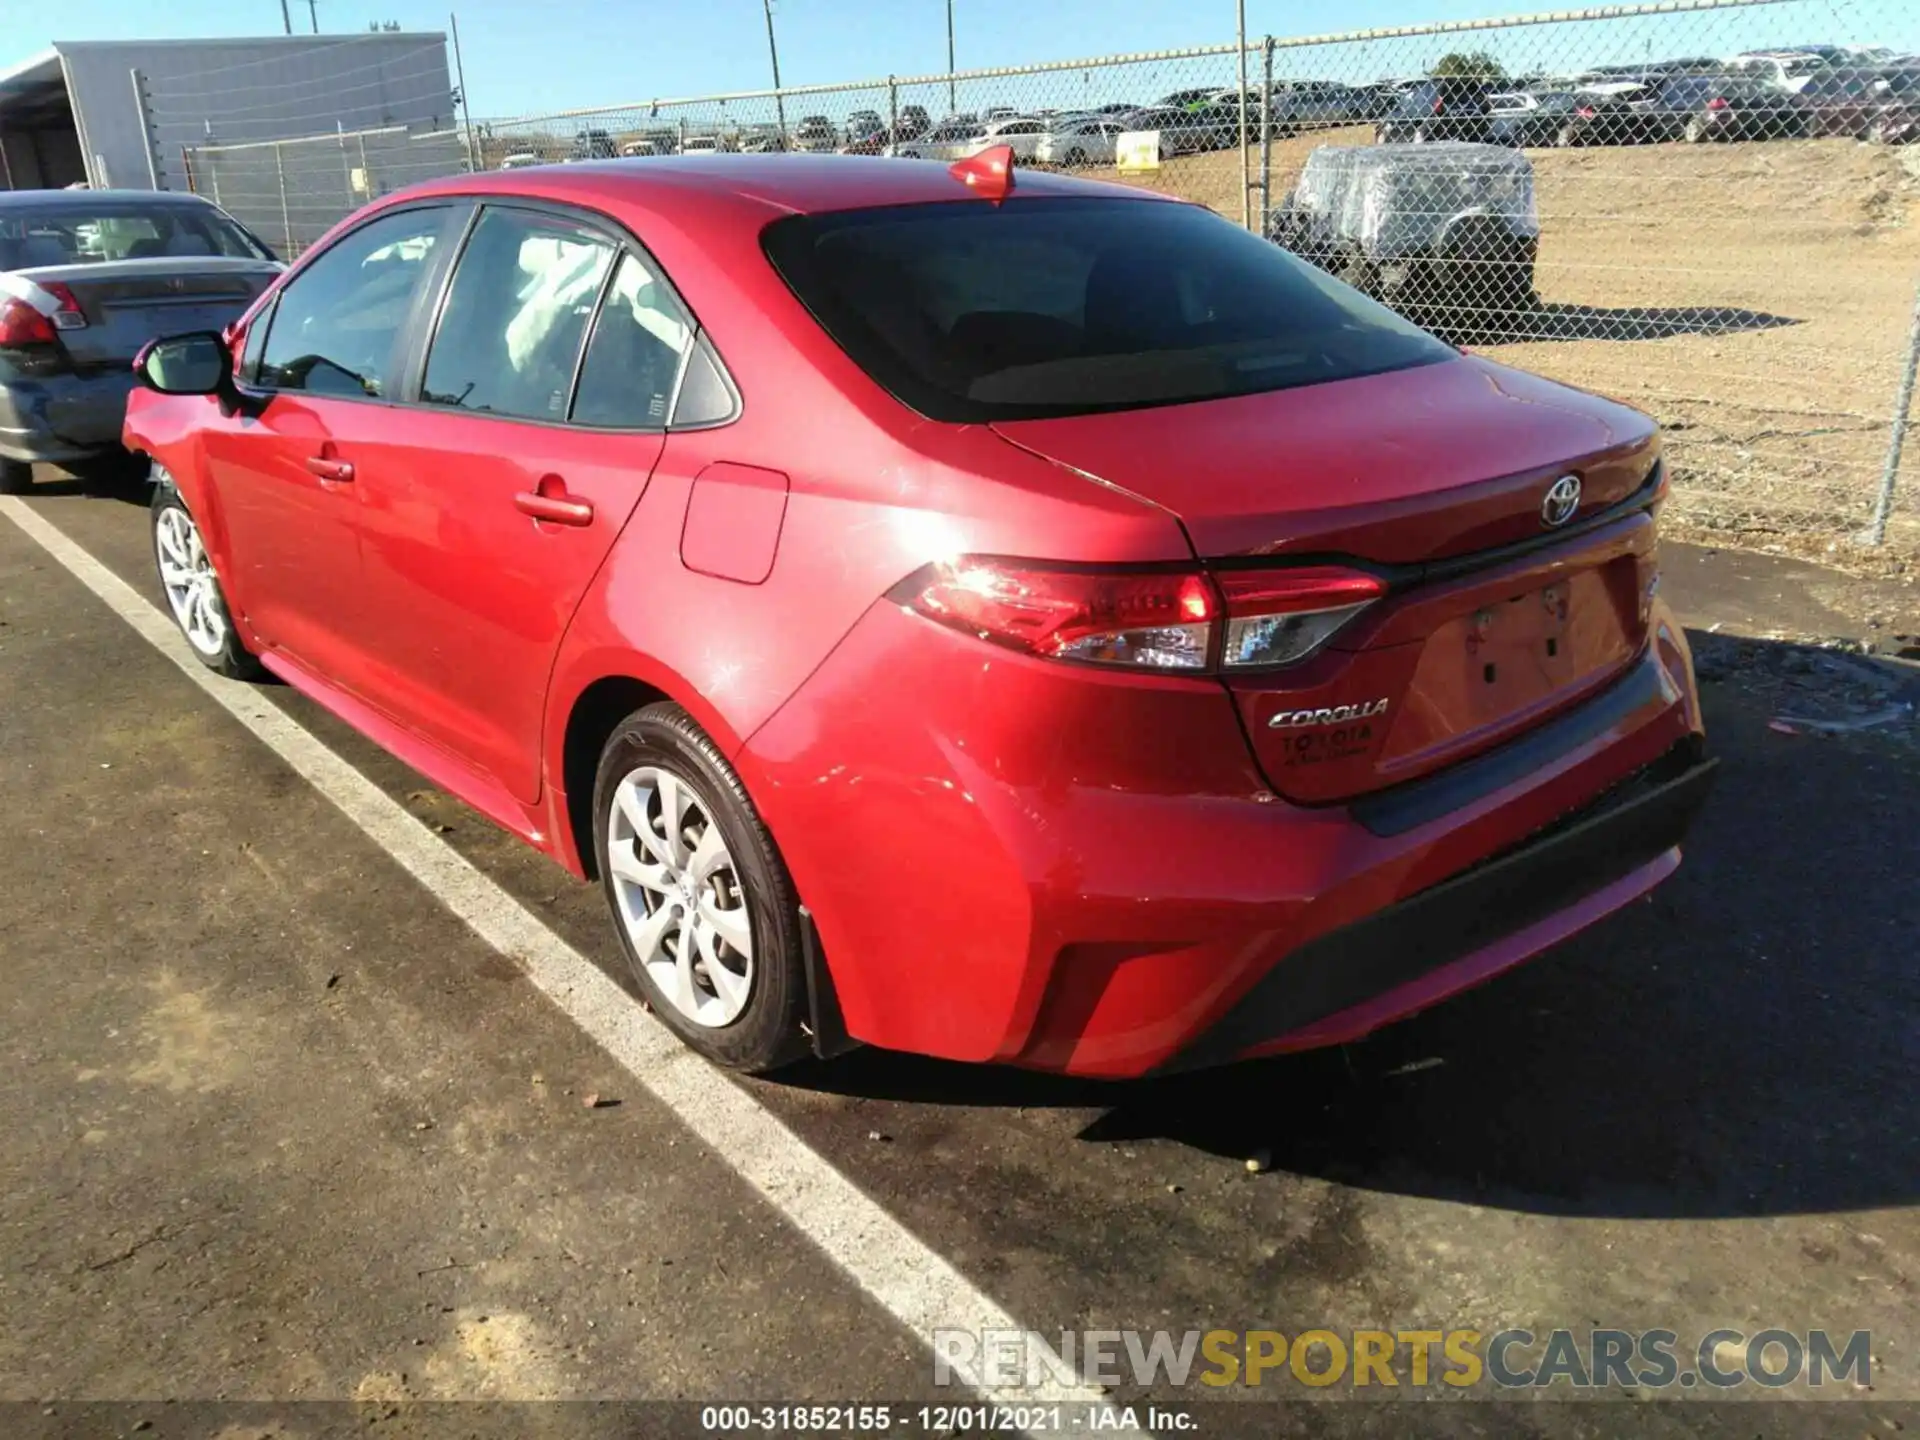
(289, 193)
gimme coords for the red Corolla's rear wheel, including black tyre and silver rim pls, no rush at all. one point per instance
(700, 894)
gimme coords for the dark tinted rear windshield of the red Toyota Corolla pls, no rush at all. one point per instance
(971, 312)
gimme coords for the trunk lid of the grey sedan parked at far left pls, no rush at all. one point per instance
(130, 302)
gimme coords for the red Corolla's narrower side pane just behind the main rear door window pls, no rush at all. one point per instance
(635, 356)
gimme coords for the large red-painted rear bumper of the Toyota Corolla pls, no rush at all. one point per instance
(1078, 873)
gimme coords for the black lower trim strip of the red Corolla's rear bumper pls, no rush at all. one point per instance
(1470, 928)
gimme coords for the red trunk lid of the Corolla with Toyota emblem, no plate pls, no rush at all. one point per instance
(1433, 479)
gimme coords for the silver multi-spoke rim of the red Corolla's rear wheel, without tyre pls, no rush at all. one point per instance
(681, 898)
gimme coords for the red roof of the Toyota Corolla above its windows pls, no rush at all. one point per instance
(794, 185)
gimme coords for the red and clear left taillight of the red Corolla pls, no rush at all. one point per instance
(1145, 619)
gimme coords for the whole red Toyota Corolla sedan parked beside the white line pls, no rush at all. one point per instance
(1047, 627)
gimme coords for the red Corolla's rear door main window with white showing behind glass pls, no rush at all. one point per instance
(516, 316)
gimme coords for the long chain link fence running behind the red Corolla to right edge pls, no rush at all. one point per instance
(1706, 208)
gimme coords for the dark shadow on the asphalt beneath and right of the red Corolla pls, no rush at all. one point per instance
(1740, 1044)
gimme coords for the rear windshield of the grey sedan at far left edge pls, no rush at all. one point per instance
(84, 233)
